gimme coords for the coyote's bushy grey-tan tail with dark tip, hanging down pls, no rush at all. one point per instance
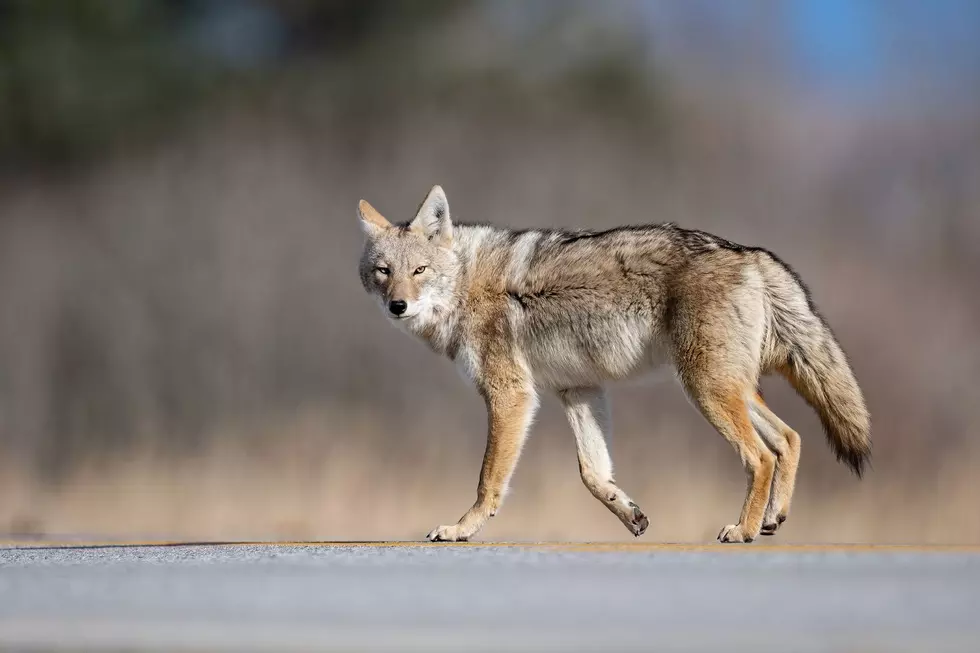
(813, 362)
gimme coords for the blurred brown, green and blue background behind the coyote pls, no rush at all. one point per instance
(185, 347)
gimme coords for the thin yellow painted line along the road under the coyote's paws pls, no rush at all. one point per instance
(635, 547)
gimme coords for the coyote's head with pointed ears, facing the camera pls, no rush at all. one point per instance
(410, 267)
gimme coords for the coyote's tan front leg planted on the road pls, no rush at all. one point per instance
(509, 410)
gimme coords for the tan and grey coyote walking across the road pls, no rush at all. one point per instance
(526, 311)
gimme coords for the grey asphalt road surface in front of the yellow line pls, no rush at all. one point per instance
(475, 598)
